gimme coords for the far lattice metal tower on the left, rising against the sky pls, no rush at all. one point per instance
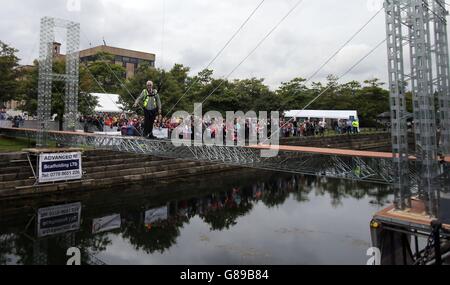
(46, 75)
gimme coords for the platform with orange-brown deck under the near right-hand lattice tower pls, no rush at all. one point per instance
(412, 236)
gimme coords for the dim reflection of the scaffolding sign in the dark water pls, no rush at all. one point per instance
(59, 219)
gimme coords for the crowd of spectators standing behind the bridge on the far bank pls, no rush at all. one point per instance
(133, 125)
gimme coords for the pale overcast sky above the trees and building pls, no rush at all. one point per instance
(195, 30)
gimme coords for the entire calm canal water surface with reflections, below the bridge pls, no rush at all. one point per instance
(249, 217)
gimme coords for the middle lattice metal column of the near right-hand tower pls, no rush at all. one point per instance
(423, 100)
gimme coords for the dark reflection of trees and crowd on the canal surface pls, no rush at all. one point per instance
(219, 207)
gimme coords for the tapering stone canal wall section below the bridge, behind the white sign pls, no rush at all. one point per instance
(101, 169)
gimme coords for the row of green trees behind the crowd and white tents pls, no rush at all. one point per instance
(176, 87)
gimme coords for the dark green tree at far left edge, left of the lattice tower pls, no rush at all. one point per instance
(9, 73)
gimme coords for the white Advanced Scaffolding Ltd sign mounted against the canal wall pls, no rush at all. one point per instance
(60, 167)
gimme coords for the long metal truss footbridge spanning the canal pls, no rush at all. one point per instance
(376, 167)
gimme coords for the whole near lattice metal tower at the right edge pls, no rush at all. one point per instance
(423, 27)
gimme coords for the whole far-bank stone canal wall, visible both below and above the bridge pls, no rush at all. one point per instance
(111, 169)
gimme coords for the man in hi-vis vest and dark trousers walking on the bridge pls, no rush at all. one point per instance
(152, 108)
